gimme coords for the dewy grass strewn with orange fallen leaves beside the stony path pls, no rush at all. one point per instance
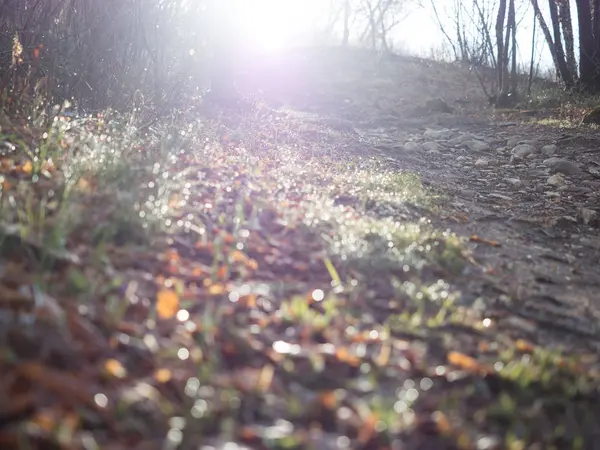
(261, 283)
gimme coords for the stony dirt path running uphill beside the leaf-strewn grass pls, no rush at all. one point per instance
(537, 235)
